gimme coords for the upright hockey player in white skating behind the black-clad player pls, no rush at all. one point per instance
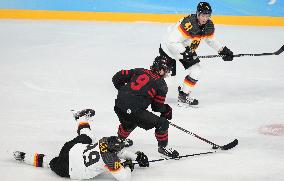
(181, 42)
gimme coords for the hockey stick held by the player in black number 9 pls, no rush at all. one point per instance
(215, 146)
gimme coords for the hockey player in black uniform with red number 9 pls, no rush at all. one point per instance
(137, 89)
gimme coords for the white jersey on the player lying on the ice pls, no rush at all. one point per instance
(89, 160)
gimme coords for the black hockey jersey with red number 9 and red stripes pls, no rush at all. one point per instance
(138, 88)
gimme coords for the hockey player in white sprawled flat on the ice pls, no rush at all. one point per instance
(82, 158)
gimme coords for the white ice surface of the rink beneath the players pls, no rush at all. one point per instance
(48, 68)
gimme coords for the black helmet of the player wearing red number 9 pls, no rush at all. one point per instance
(161, 62)
